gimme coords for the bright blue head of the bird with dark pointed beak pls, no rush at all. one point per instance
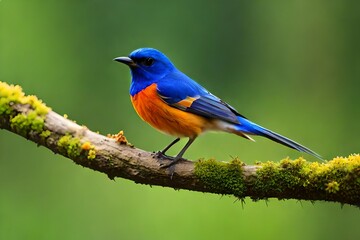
(147, 64)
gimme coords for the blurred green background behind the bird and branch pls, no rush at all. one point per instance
(291, 66)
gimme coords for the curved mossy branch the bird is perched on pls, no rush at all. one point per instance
(337, 180)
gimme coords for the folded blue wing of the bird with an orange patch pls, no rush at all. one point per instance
(181, 92)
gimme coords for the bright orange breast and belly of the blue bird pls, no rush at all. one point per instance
(153, 110)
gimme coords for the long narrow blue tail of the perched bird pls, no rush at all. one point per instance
(251, 128)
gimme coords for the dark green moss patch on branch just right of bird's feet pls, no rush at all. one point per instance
(225, 178)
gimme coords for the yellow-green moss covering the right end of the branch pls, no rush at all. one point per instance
(299, 178)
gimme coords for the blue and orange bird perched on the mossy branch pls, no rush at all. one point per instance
(177, 105)
